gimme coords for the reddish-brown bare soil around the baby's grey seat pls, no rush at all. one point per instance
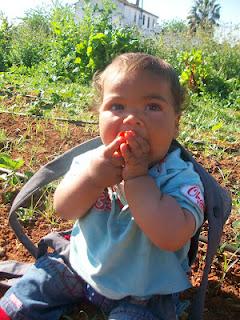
(43, 141)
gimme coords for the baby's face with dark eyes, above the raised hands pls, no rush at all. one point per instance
(141, 102)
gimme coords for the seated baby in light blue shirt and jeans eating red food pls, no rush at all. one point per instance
(136, 204)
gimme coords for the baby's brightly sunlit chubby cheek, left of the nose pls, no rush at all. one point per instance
(109, 127)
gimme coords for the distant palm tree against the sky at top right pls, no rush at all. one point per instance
(204, 13)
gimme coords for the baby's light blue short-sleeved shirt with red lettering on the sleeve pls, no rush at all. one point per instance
(110, 252)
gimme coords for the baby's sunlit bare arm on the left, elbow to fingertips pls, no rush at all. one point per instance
(74, 197)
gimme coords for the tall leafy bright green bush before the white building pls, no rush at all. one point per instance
(79, 48)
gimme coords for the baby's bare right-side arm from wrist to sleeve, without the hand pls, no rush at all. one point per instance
(159, 216)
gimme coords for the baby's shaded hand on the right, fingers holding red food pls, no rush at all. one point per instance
(135, 151)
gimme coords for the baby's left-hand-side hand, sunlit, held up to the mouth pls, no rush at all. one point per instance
(105, 169)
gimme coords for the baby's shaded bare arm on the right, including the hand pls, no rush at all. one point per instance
(159, 215)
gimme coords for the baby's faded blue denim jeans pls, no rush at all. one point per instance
(50, 288)
